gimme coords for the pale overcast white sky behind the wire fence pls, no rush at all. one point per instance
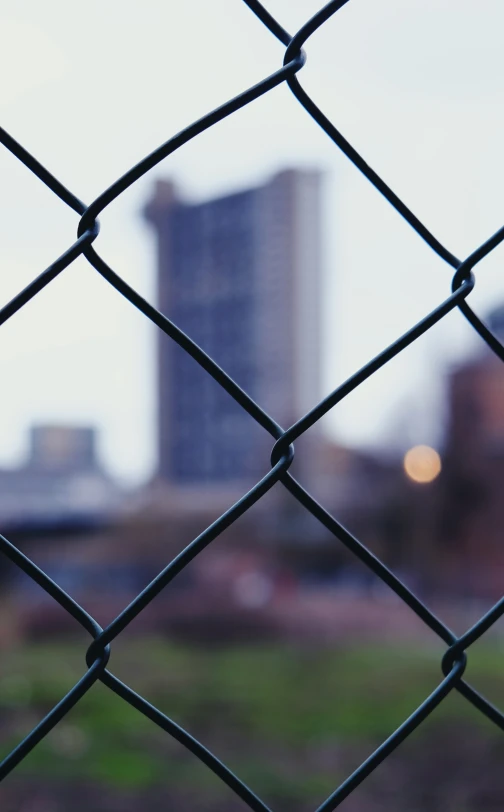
(416, 86)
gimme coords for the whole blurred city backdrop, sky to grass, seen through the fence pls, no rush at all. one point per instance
(274, 647)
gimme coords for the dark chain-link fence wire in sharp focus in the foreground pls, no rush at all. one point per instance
(97, 657)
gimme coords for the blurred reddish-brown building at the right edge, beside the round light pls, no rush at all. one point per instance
(470, 504)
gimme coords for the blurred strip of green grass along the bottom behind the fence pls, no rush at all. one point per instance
(268, 711)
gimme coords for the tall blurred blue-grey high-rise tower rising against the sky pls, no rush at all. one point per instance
(241, 275)
